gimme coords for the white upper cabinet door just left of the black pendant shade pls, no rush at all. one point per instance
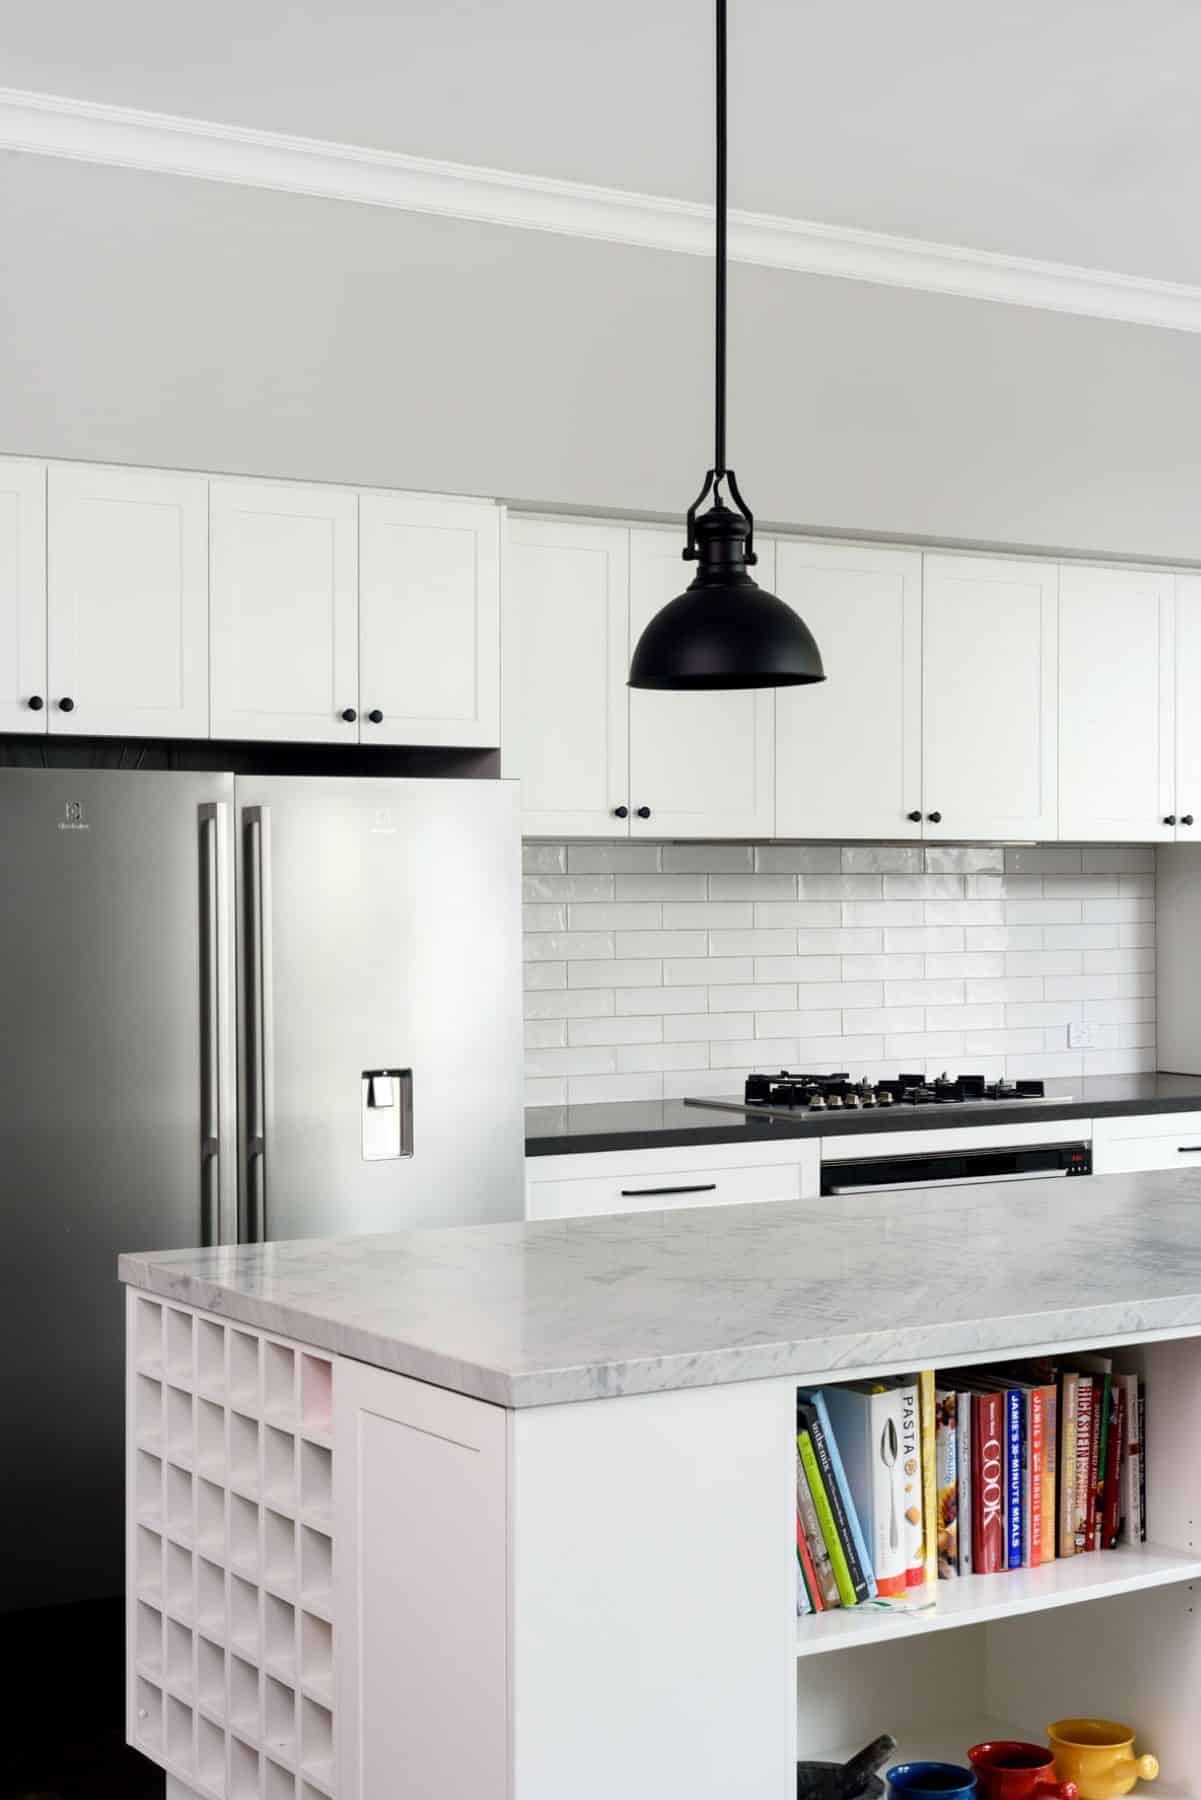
(566, 658)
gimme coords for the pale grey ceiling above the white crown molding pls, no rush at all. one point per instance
(1049, 129)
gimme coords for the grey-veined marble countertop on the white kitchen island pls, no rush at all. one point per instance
(532, 1315)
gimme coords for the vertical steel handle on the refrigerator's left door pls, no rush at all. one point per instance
(213, 1020)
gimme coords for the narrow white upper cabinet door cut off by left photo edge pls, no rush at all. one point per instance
(23, 597)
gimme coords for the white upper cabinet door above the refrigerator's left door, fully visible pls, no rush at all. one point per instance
(129, 602)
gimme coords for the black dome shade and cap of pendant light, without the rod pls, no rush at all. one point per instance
(725, 631)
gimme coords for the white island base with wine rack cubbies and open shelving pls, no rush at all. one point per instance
(590, 1601)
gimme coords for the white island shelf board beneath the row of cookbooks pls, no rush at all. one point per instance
(973, 1599)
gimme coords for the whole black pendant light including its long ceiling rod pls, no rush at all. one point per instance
(725, 631)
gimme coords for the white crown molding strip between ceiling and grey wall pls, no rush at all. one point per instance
(118, 136)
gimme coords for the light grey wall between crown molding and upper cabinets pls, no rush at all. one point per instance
(181, 323)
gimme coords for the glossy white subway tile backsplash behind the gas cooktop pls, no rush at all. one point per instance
(676, 969)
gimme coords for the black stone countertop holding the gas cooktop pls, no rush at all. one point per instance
(669, 1124)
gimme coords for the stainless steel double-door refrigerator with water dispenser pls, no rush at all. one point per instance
(230, 1009)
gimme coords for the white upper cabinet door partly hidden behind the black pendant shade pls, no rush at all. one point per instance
(700, 762)
